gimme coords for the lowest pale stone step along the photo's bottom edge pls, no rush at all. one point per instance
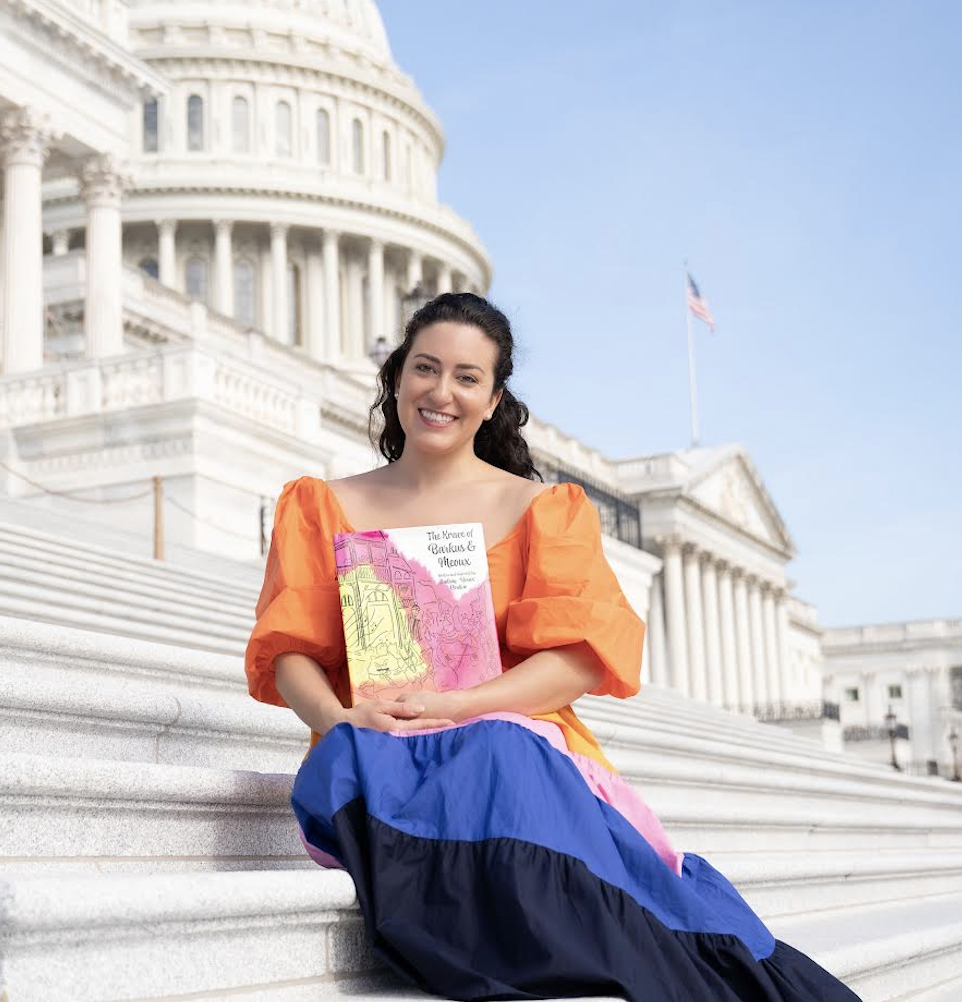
(299, 935)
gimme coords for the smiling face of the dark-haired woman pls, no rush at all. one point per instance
(448, 374)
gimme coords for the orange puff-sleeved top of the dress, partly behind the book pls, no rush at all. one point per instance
(551, 584)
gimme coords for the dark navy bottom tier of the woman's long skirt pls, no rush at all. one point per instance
(506, 919)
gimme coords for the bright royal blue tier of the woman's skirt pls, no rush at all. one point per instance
(497, 780)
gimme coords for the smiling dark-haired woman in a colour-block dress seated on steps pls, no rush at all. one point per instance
(497, 852)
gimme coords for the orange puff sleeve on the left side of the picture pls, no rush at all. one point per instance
(299, 609)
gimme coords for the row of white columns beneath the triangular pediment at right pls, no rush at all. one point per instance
(718, 633)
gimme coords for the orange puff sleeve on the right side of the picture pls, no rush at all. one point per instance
(572, 596)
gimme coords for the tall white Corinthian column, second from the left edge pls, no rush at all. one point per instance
(102, 187)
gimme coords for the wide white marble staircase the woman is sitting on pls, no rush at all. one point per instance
(148, 849)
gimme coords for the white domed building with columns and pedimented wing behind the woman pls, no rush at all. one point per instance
(212, 214)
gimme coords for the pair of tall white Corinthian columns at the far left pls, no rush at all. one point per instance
(26, 144)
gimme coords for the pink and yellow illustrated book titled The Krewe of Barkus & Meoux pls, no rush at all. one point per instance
(417, 610)
